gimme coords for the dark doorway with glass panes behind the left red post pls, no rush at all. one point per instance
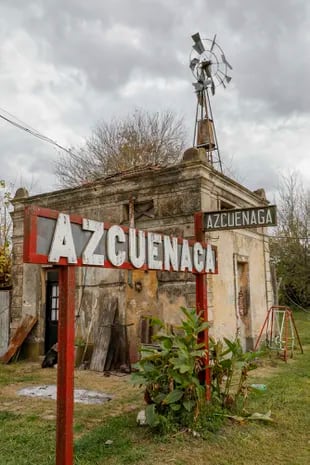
(52, 307)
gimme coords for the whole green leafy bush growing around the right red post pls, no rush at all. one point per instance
(170, 371)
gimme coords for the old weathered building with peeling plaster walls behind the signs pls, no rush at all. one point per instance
(162, 199)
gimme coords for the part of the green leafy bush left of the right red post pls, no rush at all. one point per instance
(170, 373)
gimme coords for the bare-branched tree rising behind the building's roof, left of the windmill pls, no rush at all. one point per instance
(140, 139)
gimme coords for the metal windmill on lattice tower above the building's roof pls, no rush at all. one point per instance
(209, 66)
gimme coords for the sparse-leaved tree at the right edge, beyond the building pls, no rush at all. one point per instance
(290, 244)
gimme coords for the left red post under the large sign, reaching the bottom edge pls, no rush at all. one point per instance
(65, 369)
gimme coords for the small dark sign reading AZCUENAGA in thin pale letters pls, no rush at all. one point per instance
(240, 218)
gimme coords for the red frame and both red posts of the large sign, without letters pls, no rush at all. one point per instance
(65, 369)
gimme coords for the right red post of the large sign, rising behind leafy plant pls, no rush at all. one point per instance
(202, 304)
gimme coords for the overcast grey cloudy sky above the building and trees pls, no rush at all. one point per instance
(66, 65)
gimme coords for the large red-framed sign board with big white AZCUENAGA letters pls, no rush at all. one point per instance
(57, 238)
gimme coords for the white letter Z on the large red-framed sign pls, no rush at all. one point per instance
(89, 257)
